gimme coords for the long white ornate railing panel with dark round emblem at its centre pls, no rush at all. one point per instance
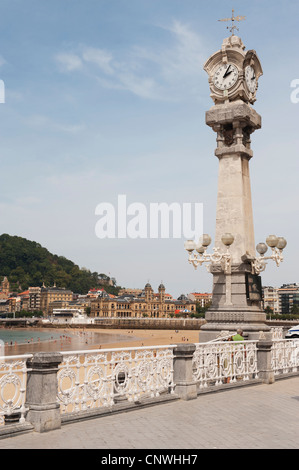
(92, 379)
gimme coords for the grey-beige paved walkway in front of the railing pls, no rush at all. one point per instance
(255, 417)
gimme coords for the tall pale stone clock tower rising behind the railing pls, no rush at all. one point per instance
(233, 78)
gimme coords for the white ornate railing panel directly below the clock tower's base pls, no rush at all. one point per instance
(223, 362)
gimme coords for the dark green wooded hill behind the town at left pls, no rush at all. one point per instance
(27, 263)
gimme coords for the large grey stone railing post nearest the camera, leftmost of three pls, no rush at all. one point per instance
(41, 393)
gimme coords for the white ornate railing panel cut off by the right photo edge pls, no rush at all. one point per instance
(285, 356)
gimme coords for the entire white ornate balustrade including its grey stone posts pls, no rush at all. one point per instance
(45, 386)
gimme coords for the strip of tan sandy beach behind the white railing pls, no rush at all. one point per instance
(72, 339)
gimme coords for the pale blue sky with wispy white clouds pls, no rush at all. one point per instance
(108, 97)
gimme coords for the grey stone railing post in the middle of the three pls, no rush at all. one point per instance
(185, 387)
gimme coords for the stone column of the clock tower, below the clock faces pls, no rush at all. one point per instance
(232, 306)
